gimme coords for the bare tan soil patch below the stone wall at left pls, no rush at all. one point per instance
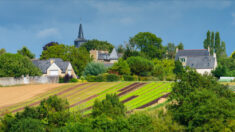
(17, 94)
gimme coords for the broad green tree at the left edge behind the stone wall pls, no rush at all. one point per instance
(15, 65)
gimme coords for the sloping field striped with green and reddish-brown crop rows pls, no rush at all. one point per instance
(82, 95)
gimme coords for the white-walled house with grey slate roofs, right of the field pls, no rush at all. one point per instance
(199, 59)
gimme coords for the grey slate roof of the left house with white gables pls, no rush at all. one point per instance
(43, 65)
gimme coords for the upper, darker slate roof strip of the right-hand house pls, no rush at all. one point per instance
(200, 52)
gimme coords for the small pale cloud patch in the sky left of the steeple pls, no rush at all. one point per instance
(49, 32)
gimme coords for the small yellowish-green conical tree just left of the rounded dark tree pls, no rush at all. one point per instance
(121, 67)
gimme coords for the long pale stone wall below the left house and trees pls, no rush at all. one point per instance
(9, 81)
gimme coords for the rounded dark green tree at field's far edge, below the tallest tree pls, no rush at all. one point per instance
(140, 65)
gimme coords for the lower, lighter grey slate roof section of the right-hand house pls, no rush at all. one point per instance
(201, 62)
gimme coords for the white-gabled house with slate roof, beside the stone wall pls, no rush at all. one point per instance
(55, 67)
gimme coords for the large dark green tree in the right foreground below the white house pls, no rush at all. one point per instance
(198, 100)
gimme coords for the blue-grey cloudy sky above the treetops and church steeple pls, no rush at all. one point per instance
(34, 23)
